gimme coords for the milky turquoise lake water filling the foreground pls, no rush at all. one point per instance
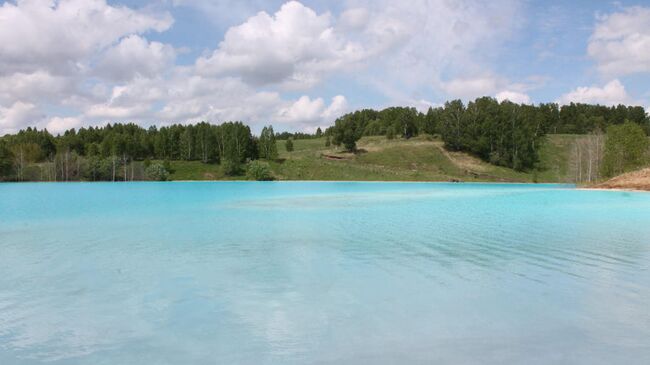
(294, 273)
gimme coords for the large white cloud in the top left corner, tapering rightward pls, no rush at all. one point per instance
(60, 35)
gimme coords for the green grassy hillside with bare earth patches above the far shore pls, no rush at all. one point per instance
(418, 159)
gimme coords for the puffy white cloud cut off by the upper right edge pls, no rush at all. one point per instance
(620, 43)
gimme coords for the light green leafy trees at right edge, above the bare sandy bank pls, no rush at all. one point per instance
(626, 148)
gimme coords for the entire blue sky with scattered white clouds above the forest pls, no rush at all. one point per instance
(300, 65)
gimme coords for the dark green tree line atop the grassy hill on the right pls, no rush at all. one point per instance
(502, 133)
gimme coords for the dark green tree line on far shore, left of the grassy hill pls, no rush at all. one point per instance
(107, 153)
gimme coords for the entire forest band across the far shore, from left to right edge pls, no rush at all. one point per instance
(501, 133)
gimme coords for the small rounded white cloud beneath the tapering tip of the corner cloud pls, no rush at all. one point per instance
(135, 56)
